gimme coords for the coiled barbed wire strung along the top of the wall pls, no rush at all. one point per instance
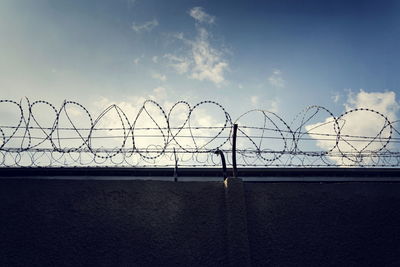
(37, 134)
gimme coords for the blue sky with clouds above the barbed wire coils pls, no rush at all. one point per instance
(276, 55)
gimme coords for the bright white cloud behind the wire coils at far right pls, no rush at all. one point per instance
(358, 123)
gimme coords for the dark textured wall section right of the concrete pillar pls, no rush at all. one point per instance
(331, 224)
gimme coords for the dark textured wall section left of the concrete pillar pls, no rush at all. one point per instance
(111, 223)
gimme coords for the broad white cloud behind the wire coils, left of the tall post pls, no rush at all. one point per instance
(151, 116)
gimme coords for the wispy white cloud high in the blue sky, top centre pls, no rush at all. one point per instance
(202, 61)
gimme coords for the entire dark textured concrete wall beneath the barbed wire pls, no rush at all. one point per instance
(154, 223)
